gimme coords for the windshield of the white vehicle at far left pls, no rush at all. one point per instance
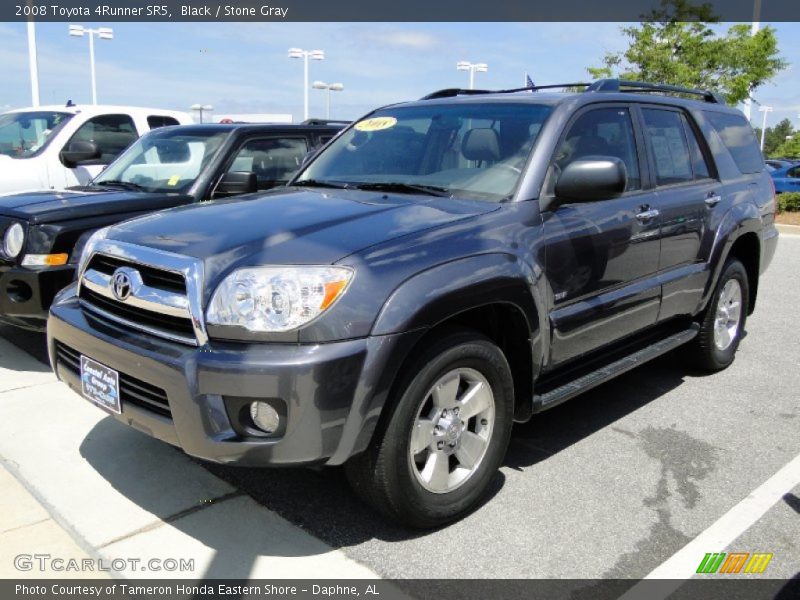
(26, 133)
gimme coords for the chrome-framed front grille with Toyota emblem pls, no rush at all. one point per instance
(162, 296)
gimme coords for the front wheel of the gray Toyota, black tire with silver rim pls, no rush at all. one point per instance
(445, 438)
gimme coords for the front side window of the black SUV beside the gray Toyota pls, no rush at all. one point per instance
(274, 160)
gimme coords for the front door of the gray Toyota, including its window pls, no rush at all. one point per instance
(601, 257)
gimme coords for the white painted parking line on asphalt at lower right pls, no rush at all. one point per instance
(683, 564)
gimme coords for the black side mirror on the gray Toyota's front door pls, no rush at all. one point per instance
(591, 178)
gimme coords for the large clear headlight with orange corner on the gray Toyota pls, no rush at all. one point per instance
(274, 299)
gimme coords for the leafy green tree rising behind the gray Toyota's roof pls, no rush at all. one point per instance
(676, 45)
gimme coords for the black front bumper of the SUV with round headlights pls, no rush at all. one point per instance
(26, 294)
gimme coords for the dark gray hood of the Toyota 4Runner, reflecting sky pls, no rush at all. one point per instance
(291, 227)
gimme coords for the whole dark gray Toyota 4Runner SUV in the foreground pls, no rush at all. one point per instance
(441, 269)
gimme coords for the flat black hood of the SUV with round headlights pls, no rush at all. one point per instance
(50, 206)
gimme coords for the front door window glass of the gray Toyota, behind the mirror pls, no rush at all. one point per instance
(602, 132)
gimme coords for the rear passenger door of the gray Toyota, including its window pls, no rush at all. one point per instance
(688, 194)
